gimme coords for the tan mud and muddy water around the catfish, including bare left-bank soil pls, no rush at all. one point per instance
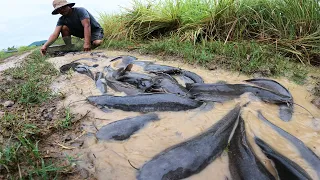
(94, 159)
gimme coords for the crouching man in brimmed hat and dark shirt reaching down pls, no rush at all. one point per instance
(76, 21)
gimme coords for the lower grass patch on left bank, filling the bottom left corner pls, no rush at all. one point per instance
(20, 156)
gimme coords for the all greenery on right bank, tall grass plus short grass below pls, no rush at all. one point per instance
(267, 36)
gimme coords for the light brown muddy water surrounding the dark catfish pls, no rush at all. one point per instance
(109, 159)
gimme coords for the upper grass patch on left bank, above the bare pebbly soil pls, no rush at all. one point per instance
(35, 75)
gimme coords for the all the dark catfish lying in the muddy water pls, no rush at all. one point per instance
(167, 88)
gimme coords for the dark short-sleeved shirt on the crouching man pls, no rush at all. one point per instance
(74, 22)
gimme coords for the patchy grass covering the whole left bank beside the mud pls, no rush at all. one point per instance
(21, 129)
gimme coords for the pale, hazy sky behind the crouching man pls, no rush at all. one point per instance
(25, 21)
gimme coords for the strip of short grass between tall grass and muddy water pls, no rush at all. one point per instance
(245, 57)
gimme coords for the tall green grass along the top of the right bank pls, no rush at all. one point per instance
(292, 27)
